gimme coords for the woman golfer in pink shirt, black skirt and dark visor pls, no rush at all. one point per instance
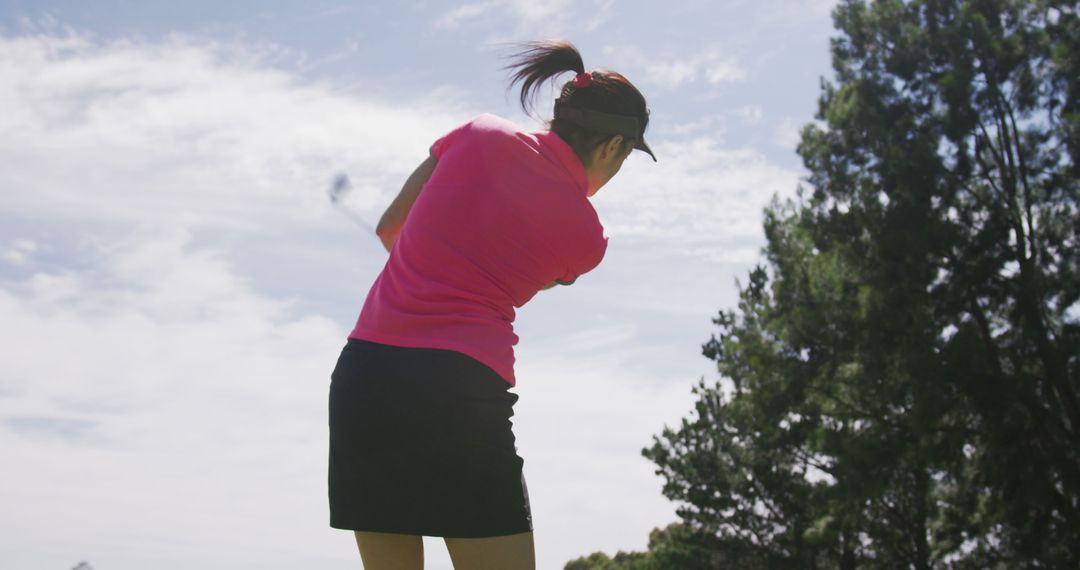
(421, 440)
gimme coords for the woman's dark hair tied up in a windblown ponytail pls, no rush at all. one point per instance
(538, 62)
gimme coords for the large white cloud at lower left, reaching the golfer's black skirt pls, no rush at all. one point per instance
(157, 387)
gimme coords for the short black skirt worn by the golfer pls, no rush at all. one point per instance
(422, 443)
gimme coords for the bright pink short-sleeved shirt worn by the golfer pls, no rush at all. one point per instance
(504, 214)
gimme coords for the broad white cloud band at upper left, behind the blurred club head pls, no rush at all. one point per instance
(185, 133)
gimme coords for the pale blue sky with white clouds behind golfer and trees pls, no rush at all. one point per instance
(175, 284)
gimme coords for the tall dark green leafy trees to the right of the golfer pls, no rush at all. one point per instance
(899, 381)
